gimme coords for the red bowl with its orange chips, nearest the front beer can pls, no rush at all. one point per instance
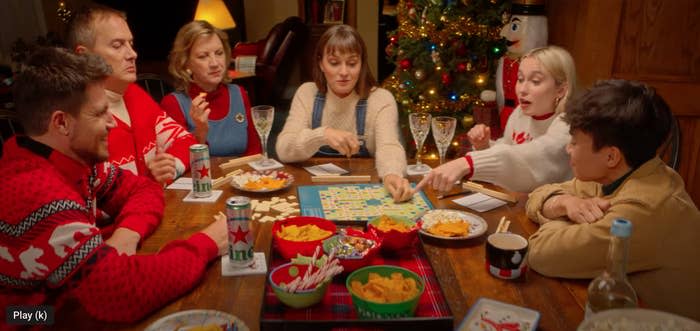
(301, 235)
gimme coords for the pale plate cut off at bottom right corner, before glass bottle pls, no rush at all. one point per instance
(637, 319)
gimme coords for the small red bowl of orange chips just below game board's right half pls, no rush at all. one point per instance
(395, 232)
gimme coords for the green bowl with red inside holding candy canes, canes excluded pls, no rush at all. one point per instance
(301, 299)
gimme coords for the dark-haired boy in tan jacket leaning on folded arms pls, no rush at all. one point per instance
(616, 128)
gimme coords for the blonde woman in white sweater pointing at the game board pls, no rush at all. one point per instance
(532, 151)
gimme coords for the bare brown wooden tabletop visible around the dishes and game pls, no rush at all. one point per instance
(459, 266)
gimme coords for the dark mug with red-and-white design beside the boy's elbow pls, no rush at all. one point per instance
(505, 255)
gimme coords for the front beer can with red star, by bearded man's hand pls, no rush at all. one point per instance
(240, 233)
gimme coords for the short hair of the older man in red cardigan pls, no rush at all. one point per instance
(81, 29)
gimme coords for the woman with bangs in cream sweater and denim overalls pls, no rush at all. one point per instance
(343, 112)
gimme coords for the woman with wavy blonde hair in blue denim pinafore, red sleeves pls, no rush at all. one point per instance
(216, 113)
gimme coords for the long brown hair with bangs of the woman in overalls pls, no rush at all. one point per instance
(344, 39)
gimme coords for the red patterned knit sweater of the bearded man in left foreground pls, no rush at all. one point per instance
(51, 246)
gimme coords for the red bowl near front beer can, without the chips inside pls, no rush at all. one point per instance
(289, 249)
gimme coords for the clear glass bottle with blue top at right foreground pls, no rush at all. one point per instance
(612, 289)
